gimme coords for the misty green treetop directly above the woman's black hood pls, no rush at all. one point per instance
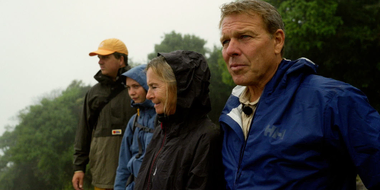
(176, 41)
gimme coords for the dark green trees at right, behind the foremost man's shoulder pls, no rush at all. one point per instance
(342, 37)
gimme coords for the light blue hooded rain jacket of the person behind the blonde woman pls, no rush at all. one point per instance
(128, 163)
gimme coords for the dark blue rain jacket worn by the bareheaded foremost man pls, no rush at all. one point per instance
(308, 132)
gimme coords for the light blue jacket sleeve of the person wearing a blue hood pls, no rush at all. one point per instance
(125, 155)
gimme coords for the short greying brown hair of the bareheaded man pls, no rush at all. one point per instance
(271, 18)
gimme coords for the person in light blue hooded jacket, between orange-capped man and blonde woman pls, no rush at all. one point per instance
(138, 132)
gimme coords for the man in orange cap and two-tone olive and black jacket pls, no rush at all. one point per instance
(106, 112)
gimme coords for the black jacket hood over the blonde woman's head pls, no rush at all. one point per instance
(193, 78)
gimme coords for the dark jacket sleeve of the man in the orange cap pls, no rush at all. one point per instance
(83, 138)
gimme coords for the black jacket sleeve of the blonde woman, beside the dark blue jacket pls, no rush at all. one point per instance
(206, 171)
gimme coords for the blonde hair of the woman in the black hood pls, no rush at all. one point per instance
(165, 73)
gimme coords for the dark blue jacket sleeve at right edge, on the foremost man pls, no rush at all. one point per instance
(359, 126)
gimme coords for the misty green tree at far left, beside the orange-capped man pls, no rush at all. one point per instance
(37, 154)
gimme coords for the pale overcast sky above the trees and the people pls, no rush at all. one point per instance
(45, 43)
